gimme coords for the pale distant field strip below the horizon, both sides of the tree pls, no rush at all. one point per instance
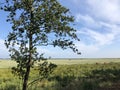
(10, 63)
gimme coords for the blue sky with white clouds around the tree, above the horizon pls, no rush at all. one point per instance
(98, 26)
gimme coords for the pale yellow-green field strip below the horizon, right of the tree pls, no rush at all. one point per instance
(85, 61)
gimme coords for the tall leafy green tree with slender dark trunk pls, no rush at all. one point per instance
(37, 23)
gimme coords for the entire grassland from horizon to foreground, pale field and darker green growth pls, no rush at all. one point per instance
(84, 74)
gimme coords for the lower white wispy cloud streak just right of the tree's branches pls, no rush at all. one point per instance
(99, 38)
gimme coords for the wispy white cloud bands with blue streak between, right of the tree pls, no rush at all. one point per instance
(104, 33)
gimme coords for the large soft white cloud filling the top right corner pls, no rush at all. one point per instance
(108, 10)
